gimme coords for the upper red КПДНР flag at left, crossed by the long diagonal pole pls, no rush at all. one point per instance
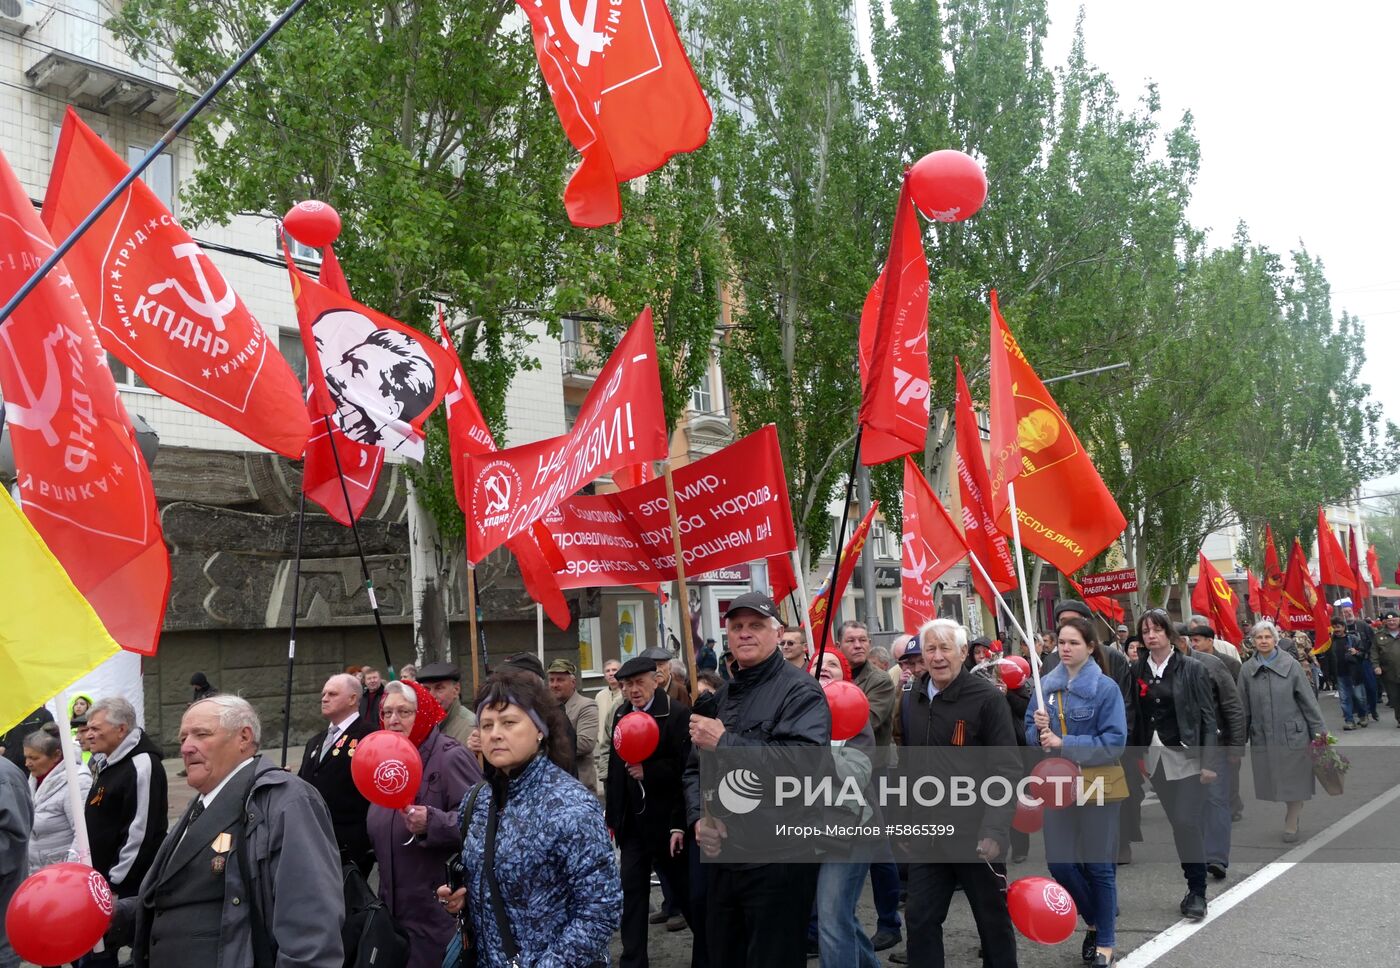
(162, 307)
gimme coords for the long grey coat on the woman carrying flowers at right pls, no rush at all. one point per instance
(1282, 717)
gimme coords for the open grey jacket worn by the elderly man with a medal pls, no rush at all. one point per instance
(296, 876)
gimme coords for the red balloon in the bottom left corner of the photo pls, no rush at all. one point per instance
(59, 914)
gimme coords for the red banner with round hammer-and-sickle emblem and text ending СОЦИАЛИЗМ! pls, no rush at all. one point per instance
(622, 422)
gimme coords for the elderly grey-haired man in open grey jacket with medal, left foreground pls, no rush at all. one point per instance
(253, 865)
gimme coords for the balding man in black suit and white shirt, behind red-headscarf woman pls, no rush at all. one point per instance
(327, 767)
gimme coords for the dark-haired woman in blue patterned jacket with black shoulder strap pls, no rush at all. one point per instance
(542, 887)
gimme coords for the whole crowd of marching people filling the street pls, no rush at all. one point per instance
(533, 841)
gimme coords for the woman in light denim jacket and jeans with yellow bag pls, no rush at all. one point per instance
(1087, 725)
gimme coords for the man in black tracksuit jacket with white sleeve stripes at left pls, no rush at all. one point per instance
(127, 809)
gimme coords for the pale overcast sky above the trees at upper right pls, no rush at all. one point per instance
(1296, 109)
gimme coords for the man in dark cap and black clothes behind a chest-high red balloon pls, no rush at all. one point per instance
(646, 806)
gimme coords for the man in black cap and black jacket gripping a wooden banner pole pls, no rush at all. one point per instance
(758, 914)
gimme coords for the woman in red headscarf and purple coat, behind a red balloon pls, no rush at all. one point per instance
(414, 844)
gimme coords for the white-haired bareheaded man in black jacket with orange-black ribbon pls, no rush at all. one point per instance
(948, 710)
